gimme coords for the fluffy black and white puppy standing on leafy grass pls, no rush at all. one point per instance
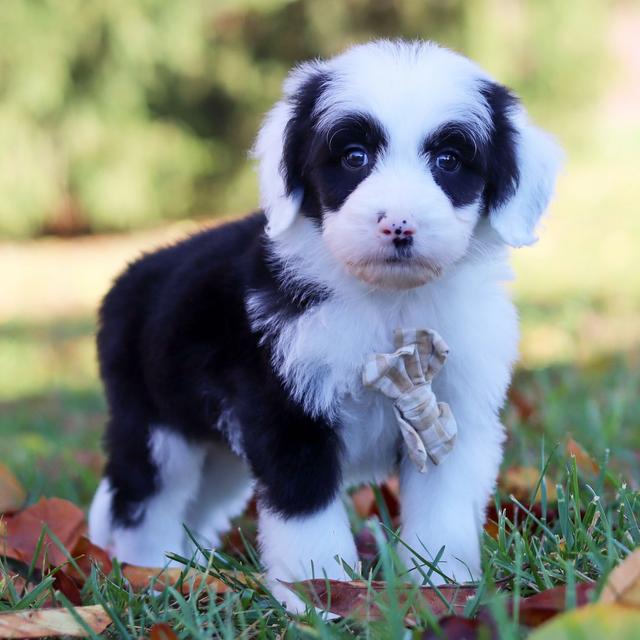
(393, 179)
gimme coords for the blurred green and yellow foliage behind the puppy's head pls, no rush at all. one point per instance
(115, 114)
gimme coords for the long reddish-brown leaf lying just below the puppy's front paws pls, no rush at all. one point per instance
(356, 598)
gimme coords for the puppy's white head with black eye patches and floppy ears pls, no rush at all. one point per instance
(397, 150)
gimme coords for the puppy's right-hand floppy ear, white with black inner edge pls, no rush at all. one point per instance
(524, 162)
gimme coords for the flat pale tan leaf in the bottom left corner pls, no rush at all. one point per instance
(40, 623)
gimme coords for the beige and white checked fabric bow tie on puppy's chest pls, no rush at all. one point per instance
(427, 426)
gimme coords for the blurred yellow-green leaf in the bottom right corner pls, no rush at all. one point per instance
(592, 622)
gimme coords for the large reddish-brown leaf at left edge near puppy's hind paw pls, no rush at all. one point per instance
(23, 530)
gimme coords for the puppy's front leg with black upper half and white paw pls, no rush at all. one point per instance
(303, 524)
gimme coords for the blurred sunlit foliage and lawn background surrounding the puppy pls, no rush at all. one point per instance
(124, 125)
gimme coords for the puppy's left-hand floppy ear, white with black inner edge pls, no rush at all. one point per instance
(281, 143)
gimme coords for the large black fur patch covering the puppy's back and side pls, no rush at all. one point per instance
(176, 347)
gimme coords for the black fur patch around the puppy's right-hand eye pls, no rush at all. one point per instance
(465, 183)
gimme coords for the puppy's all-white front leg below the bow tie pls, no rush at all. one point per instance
(445, 508)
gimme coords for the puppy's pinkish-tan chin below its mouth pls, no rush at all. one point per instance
(394, 274)
